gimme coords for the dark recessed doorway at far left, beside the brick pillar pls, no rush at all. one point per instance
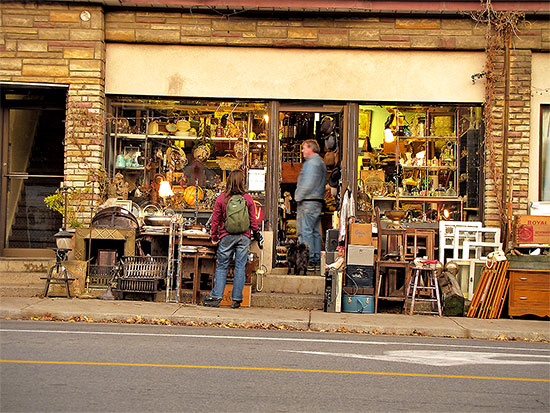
(32, 131)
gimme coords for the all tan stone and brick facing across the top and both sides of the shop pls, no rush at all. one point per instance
(49, 43)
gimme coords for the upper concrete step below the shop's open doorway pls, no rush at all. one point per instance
(294, 284)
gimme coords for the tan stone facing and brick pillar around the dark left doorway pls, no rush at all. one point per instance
(49, 43)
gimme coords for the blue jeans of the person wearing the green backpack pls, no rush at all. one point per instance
(229, 245)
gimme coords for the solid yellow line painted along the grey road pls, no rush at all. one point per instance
(190, 366)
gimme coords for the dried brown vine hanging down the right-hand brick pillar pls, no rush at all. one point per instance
(502, 26)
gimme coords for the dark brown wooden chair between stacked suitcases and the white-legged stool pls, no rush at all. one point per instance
(392, 271)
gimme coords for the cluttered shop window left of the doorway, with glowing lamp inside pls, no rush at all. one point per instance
(171, 153)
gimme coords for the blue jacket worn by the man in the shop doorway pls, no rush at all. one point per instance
(312, 180)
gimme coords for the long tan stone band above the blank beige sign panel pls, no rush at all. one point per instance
(364, 32)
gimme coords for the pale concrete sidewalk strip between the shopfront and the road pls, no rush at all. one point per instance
(400, 324)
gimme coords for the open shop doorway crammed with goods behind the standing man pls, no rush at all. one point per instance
(297, 124)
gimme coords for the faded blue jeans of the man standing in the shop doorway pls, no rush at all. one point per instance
(308, 221)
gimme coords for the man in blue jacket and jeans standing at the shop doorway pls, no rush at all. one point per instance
(309, 195)
